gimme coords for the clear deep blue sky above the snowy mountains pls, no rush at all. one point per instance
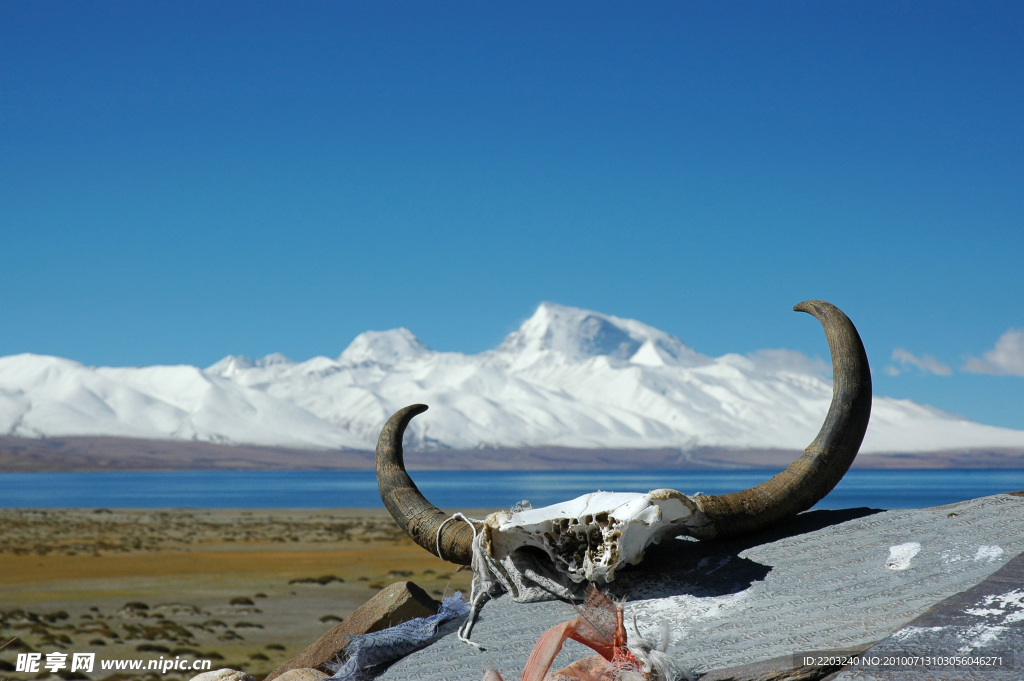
(184, 181)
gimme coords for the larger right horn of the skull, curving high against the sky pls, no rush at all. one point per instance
(827, 459)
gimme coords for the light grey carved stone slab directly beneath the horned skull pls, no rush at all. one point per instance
(827, 581)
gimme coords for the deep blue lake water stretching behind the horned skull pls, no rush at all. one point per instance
(875, 489)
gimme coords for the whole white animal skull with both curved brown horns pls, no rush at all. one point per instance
(591, 537)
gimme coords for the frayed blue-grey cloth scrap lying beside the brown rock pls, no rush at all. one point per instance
(370, 655)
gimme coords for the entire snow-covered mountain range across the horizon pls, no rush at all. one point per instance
(567, 377)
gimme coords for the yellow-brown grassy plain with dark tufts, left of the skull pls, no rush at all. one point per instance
(246, 589)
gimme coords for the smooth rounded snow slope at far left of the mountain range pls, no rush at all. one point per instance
(51, 397)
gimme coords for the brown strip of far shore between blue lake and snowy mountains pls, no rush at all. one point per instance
(82, 454)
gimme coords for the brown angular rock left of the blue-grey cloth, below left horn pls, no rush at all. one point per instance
(395, 605)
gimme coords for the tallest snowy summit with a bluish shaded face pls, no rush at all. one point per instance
(580, 334)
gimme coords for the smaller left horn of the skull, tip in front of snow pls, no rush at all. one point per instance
(408, 506)
